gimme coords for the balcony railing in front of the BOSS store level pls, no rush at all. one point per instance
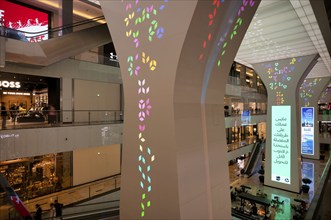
(39, 119)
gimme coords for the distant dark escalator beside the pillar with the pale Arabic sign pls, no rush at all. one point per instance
(255, 159)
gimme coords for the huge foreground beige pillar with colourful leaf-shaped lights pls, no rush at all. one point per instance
(175, 58)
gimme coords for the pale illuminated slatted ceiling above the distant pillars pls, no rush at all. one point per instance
(284, 29)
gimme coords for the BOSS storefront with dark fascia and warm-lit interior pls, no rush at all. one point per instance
(26, 96)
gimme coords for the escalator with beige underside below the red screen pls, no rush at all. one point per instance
(49, 51)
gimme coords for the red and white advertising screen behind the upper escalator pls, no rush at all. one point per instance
(18, 17)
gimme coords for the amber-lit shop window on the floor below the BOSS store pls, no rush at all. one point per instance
(38, 176)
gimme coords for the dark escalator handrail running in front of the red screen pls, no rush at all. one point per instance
(60, 28)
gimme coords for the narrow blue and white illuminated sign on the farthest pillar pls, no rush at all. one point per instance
(307, 130)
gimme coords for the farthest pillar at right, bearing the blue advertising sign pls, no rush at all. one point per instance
(310, 91)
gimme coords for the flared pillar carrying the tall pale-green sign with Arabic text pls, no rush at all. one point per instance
(283, 159)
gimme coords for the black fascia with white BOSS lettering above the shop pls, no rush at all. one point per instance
(28, 83)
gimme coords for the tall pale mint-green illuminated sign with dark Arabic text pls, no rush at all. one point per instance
(281, 144)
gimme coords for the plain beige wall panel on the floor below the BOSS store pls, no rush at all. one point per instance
(95, 163)
